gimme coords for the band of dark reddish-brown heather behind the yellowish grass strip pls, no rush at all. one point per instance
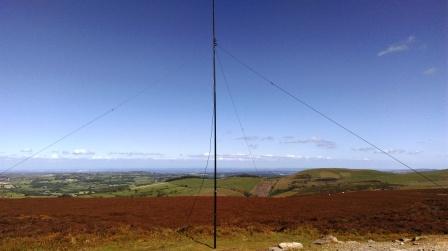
(414, 211)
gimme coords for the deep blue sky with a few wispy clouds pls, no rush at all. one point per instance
(378, 67)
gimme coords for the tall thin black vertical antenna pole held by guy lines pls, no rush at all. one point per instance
(214, 117)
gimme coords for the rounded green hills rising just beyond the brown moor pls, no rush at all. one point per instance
(322, 180)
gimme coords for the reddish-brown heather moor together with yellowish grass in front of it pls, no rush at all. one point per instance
(245, 223)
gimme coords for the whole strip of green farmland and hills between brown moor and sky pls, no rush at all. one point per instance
(145, 184)
